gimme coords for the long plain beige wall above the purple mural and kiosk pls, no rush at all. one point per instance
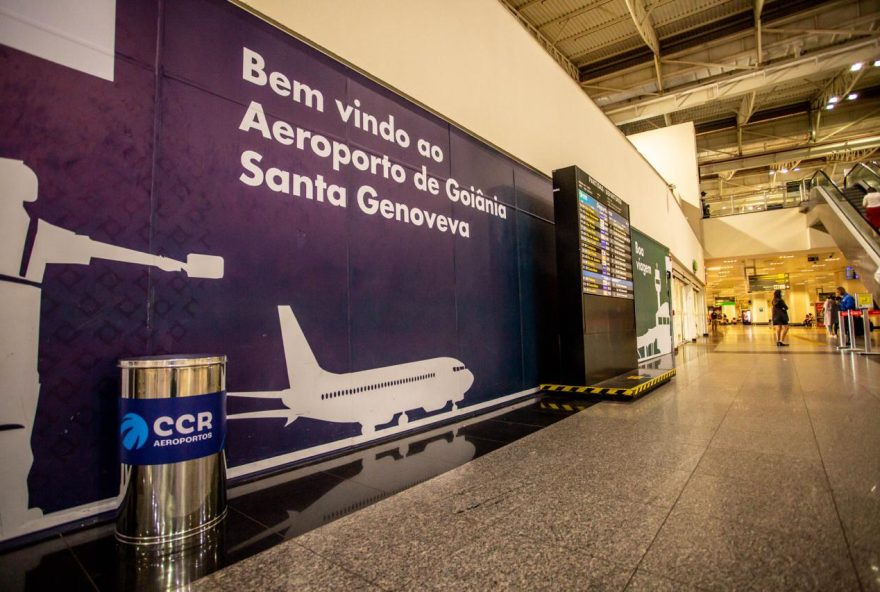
(472, 62)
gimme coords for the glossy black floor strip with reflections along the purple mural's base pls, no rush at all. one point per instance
(265, 512)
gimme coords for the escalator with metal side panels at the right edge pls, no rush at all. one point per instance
(839, 212)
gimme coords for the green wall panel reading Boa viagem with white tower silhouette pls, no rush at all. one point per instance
(651, 287)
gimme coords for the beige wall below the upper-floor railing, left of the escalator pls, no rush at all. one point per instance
(761, 233)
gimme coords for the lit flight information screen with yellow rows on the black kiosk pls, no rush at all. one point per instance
(606, 258)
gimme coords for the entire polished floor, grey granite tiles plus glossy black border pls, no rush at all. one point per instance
(756, 468)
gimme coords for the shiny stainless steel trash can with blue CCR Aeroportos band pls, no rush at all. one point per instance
(172, 427)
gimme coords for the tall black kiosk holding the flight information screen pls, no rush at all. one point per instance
(595, 280)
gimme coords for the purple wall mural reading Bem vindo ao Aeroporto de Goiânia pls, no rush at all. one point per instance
(382, 270)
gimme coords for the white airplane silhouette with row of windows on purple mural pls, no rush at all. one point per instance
(369, 397)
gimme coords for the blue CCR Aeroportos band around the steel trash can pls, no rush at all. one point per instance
(160, 431)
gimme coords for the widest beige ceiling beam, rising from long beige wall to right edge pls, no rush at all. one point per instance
(739, 84)
